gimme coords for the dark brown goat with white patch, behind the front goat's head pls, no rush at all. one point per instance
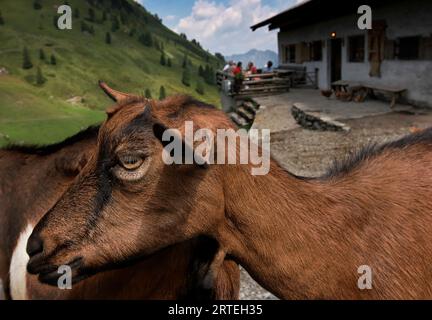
(31, 181)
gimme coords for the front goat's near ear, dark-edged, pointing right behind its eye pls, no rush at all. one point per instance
(176, 139)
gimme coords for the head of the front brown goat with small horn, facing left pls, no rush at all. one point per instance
(127, 203)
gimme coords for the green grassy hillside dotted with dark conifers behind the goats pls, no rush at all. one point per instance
(40, 113)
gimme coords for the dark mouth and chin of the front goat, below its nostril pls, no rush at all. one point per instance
(50, 273)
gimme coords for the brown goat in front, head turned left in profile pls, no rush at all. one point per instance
(299, 238)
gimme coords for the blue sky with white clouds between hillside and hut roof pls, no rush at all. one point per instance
(221, 25)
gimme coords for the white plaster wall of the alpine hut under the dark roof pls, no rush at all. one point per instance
(407, 18)
